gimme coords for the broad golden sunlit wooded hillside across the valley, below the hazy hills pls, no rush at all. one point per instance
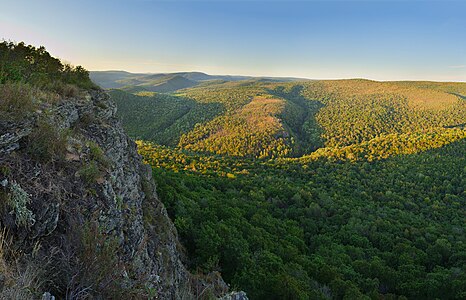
(315, 114)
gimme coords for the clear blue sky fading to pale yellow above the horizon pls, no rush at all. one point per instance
(381, 40)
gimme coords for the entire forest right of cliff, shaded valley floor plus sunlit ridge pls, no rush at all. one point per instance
(347, 189)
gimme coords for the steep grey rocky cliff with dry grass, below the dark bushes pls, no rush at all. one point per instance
(79, 213)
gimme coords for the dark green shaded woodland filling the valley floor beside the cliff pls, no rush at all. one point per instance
(322, 229)
